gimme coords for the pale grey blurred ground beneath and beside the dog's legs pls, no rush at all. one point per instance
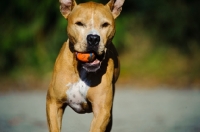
(134, 111)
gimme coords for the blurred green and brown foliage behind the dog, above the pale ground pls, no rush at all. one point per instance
(158, 42)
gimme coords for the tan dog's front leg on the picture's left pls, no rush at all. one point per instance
(54, 112)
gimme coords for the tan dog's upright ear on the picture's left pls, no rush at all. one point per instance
(66, 7)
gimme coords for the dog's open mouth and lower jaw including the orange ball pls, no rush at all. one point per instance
(90, 61)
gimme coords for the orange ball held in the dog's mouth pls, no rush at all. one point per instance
(85, 57)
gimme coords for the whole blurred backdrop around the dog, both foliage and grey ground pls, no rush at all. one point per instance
(159, 46)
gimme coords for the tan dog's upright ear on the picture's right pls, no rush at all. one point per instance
(115, 7)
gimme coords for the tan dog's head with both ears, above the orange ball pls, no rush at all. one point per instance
(91, 25)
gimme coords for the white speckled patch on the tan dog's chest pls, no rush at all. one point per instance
(76, 95)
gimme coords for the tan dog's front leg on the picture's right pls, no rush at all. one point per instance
(102, 110)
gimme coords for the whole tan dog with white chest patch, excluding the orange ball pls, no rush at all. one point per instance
(85, 86)
